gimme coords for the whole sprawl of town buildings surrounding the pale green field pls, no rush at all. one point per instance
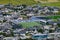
(11, 16)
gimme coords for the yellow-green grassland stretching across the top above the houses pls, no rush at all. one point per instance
(28, 2)
